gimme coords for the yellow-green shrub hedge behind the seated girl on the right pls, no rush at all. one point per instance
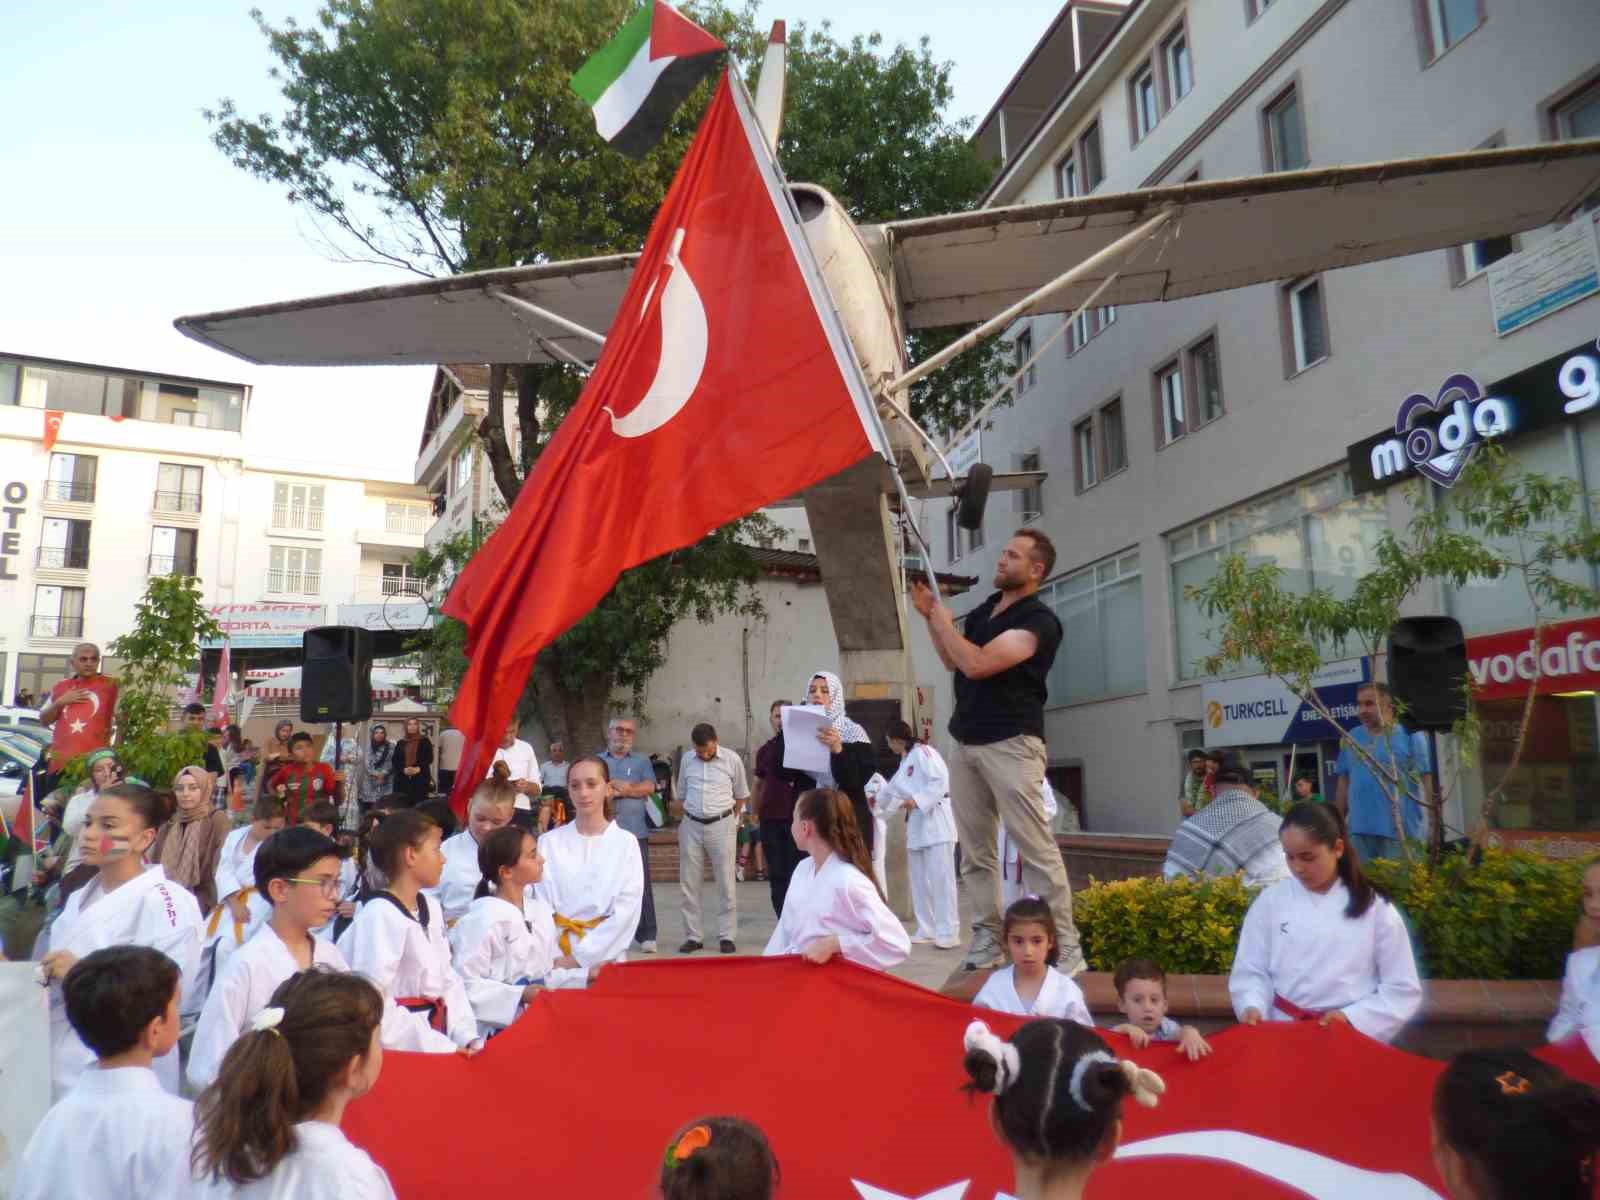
(1510, 918)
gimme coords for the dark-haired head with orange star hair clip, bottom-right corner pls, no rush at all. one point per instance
(1508, 1126)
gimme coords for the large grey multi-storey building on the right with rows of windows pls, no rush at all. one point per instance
(1175, 434)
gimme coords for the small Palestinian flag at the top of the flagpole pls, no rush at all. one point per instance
(644, 74)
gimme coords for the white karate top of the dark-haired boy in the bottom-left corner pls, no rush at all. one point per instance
(118, 1135)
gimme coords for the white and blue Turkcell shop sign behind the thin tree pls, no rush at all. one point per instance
(1262, 711)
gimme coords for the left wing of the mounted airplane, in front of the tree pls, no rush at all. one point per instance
(441, 321)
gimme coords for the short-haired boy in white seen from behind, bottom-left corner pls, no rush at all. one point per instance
(116, 1134)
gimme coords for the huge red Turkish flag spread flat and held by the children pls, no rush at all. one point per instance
(857, 1079)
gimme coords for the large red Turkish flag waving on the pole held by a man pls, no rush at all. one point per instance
(726, 383)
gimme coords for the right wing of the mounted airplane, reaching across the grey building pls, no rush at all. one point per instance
(1231, 233)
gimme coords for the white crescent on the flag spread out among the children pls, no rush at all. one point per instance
(1316, 1175)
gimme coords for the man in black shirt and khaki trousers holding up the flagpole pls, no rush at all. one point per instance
(998, 772)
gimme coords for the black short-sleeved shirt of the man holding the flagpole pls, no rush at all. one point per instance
(1014, 702)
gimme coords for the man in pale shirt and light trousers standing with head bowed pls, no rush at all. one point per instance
(713, 786)
